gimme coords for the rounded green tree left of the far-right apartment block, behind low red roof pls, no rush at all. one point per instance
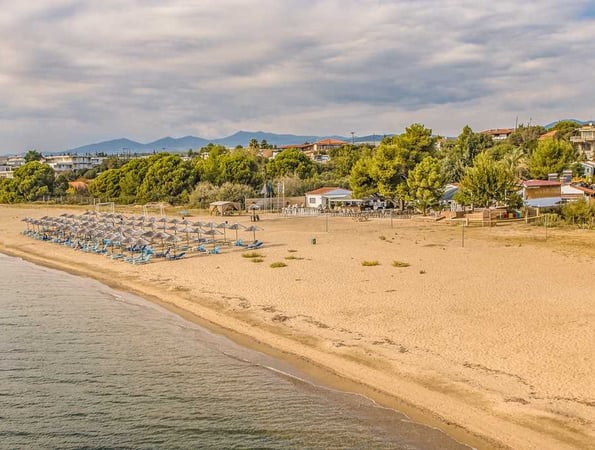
(551, 156)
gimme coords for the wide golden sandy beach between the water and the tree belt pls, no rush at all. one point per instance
(493, 341)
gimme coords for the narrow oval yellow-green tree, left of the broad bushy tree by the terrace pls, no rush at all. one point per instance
(426, 184)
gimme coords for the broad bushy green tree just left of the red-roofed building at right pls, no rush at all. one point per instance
(486, 183)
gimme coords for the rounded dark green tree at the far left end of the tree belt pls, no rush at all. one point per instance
(33, 180)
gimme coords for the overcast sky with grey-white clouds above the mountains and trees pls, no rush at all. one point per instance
(78, 72)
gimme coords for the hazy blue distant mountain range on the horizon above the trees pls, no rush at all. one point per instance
(170, 144)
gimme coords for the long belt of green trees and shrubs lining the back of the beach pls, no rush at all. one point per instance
(410, 170)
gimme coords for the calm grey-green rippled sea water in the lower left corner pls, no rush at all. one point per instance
(83, 366)
